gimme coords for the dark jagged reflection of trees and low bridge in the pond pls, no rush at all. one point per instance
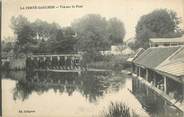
(90, 85)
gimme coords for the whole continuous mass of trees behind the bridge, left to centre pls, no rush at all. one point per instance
(91, 34)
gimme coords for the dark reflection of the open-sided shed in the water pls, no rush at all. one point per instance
(152, 103)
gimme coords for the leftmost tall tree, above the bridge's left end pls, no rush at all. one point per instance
(25, 34)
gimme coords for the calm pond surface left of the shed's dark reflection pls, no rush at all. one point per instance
(69, 94)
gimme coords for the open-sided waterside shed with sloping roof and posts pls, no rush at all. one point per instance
(162, 69)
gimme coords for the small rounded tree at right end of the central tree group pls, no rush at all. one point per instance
(116, 31)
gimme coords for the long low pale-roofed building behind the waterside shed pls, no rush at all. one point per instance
(158, 42)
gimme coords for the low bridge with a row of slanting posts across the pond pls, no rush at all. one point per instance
(61, 61)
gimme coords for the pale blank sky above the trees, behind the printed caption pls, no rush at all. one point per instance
(128, 11)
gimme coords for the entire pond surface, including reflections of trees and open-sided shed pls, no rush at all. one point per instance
(87, 92)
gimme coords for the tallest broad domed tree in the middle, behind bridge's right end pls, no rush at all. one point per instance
(91, 33)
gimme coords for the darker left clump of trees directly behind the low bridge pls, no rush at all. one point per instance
(42, 37)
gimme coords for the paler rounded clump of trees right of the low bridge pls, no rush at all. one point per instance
(95, 33)
